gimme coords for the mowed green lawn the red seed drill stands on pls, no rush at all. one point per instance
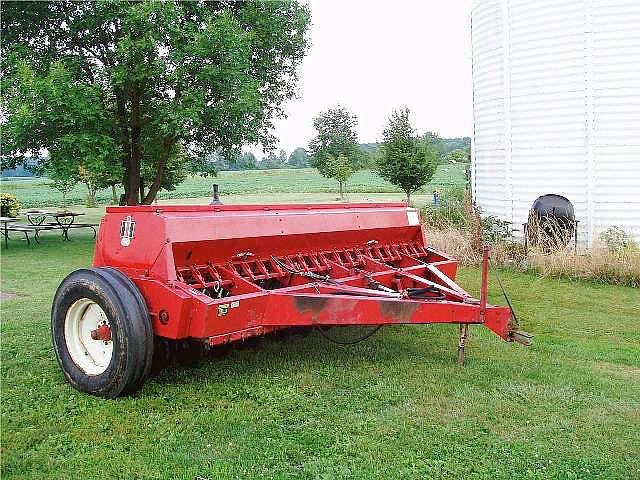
(393, 407)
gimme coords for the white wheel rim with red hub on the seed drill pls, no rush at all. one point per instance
(91, 356)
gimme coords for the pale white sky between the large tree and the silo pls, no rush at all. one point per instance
(373, 57)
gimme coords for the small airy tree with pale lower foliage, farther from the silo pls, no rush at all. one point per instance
(336, 136)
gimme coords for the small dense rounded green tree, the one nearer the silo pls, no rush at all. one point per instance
(404, 159)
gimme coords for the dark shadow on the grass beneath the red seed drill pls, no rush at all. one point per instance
(286, 353)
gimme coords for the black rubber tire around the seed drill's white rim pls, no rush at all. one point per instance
(131, 331)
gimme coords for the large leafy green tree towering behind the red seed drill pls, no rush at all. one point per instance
(146, 85)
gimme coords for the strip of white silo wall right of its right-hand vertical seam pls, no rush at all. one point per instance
(615, 56)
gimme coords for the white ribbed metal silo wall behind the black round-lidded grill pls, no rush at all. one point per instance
(557, 109)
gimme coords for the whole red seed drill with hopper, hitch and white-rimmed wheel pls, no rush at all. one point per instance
(223, 273)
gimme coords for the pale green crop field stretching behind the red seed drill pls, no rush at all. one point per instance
(37, 192)
